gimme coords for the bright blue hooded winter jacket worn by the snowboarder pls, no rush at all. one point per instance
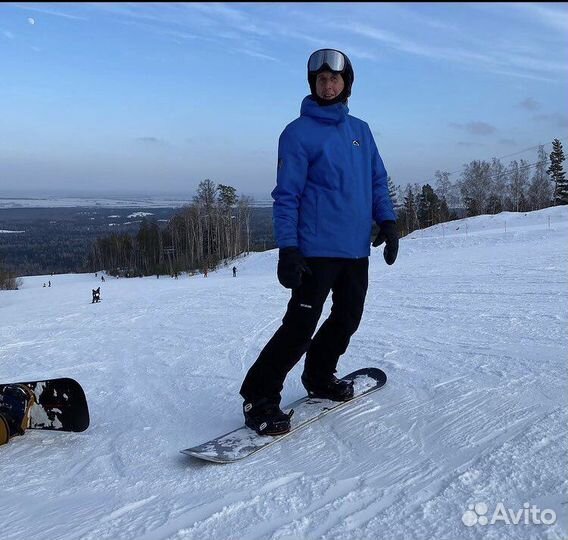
(331, 183)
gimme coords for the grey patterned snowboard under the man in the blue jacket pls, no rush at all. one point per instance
(244, 442)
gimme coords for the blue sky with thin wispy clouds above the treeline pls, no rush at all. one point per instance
(130, 98)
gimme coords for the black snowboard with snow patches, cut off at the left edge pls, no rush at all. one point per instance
(60, 405)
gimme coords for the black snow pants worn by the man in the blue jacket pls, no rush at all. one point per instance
(347, 279)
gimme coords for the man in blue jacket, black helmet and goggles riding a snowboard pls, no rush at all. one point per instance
(331, 184)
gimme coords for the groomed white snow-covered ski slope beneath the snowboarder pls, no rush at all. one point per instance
(470, 325)
